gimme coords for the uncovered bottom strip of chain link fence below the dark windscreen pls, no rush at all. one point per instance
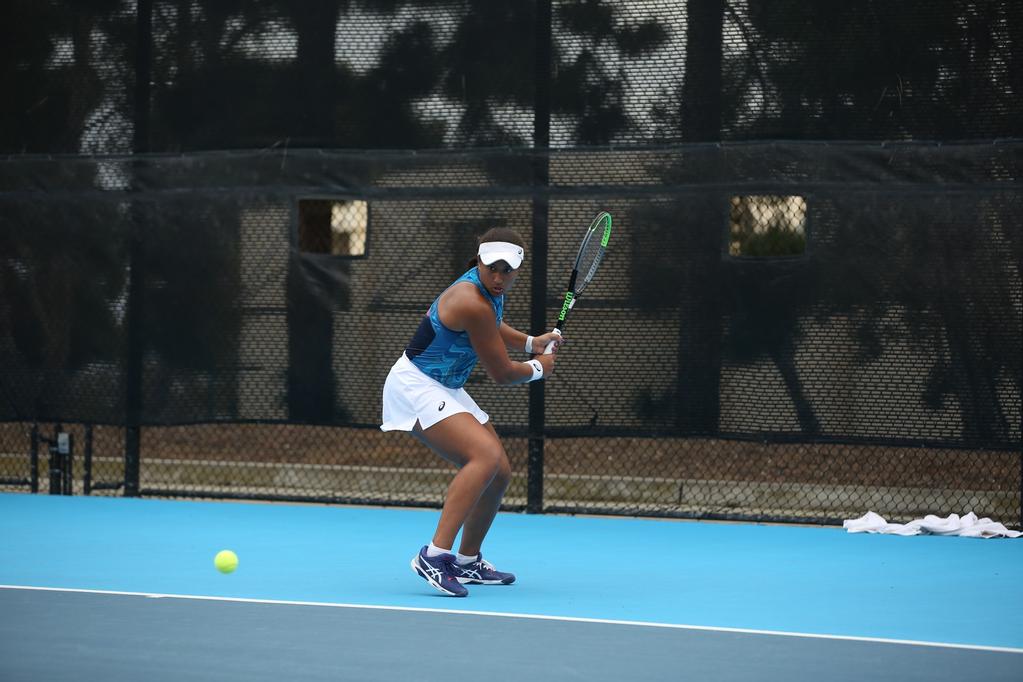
(683, 478)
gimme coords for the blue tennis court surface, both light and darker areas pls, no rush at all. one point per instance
(120, 589)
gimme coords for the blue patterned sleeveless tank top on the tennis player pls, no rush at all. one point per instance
(441, 353)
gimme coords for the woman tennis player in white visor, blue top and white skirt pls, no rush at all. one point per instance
(424, 395)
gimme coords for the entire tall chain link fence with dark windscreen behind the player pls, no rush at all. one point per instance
(795, 331)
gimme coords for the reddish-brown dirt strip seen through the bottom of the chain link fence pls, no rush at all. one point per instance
(827, 464)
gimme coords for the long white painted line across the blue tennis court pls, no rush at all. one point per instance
(535, 617)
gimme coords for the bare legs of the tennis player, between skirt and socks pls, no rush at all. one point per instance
(475, 494)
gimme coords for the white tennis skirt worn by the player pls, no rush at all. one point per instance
(411, 396)
